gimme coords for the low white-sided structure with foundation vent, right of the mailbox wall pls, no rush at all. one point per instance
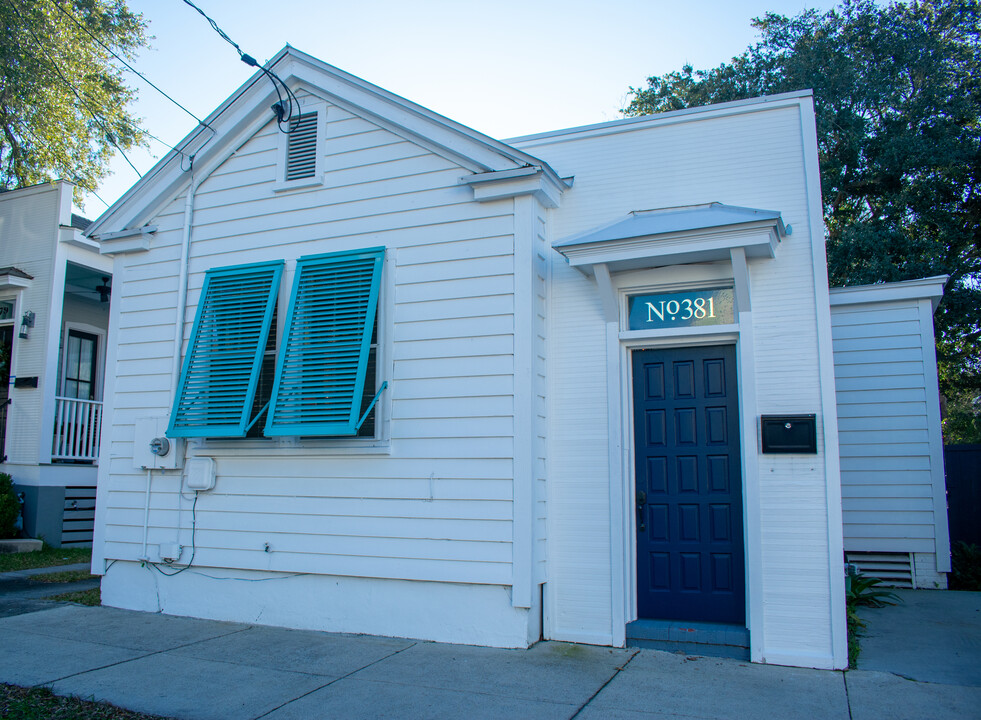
(894, 498)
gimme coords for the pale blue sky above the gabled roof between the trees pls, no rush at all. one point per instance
(505, 68)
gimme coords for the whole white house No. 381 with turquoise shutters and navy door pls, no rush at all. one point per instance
(385, 374)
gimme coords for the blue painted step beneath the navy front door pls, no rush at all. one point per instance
(696, 638)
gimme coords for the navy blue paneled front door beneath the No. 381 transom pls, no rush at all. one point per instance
(689, 495)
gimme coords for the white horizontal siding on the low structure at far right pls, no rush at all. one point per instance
(887, 472)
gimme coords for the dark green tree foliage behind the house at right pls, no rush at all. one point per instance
(897, 94)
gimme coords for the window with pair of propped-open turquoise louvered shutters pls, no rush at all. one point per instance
(320, 382)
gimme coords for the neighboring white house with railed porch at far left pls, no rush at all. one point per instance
(54, 316)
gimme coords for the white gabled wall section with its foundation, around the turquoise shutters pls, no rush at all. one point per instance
(432, 501)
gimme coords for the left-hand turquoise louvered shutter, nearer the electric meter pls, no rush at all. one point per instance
(221, 369)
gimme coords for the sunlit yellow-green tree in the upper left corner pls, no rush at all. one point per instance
(63, 103)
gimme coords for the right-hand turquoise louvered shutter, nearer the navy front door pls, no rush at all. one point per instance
(320, 373)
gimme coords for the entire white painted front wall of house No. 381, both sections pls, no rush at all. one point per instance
(492, 475)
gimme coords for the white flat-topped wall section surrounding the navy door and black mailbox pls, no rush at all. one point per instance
(748, 155)
